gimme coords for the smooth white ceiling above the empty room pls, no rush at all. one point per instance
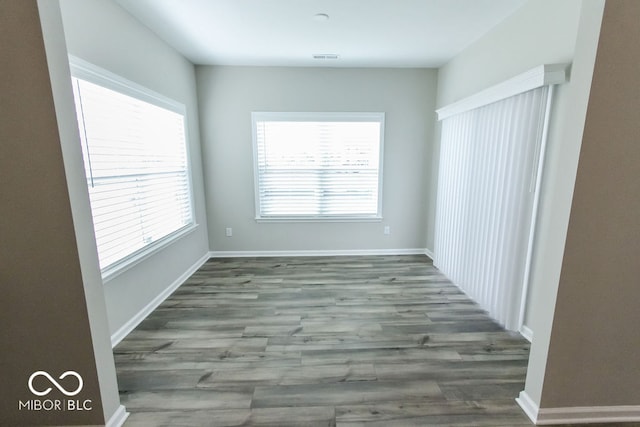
(362, 33)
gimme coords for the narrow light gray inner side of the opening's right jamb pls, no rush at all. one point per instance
(555, 206)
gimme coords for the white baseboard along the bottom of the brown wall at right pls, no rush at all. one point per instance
(578, 414)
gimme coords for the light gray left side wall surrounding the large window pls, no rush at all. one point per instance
(101, 32)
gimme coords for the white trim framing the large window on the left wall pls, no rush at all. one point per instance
(87, 71)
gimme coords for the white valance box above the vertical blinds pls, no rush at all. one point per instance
(547, 74)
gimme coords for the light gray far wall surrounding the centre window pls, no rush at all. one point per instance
(227, 97)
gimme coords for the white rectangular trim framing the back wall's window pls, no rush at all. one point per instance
(317, 116)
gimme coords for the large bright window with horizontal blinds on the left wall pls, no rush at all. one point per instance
(135, 156)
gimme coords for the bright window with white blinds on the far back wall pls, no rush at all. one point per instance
(318, 166)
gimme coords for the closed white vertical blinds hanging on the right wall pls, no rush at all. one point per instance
(488, 167)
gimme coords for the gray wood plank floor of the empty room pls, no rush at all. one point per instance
(326, 341)
